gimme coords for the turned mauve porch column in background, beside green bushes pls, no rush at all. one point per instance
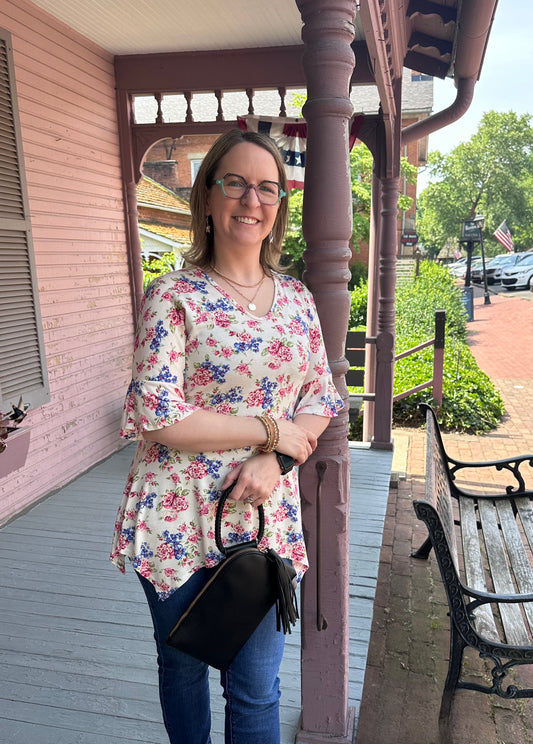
(388, 248)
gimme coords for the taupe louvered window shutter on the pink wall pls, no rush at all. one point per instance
(22, 362)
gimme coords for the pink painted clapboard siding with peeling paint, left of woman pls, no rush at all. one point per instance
(66, 100)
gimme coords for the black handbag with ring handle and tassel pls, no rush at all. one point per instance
(239, 593)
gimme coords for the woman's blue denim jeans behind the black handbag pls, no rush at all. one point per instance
(250, 686)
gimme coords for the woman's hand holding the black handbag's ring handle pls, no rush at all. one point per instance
(255, 479)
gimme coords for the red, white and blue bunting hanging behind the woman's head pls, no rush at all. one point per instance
(290, 136)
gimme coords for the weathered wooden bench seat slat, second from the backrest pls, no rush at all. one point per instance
(513, 622)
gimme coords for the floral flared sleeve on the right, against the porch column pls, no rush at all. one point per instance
(318, 394)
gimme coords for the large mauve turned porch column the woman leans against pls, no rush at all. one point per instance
(327, 226)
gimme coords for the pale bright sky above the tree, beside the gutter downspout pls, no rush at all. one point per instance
(505, 83)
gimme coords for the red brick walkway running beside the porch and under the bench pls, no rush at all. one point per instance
(409, 648)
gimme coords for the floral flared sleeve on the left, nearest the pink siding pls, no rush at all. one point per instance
(155, 397)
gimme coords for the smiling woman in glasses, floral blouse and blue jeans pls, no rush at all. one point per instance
(229, 373)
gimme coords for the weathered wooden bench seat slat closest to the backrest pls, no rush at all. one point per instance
(475, 573)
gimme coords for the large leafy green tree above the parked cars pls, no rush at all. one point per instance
(491, 174)
